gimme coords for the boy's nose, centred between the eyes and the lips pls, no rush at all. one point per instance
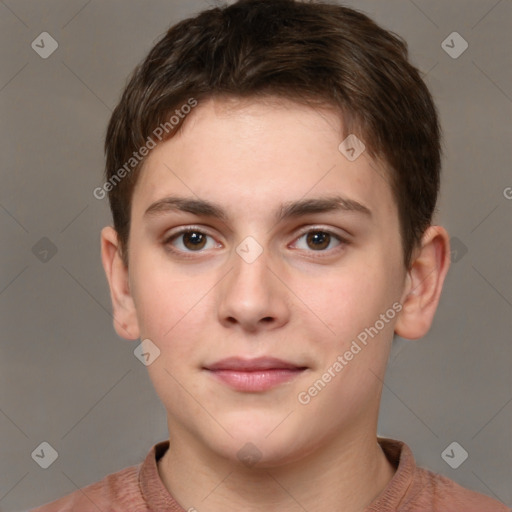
(253, 295)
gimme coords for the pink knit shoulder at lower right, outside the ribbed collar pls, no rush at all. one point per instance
(439, 493)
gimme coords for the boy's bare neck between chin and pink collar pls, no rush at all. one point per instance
(349, 471)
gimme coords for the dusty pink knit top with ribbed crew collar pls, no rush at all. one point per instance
(412, 489)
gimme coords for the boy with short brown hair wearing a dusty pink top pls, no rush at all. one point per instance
(272, 169)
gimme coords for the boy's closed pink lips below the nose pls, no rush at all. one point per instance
(254, 375)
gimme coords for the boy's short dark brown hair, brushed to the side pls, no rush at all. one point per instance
(309, 52)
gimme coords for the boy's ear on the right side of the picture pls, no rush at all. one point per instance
(424, 284)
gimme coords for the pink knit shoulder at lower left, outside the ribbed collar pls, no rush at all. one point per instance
(113, 493)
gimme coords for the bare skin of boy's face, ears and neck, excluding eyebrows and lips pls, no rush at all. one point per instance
(294, 302)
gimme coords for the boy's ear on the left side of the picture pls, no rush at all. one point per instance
(123, 307)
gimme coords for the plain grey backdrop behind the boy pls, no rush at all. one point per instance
(65, 376)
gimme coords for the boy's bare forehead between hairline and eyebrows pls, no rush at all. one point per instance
(248, 155)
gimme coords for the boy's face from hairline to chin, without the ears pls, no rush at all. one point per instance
(279, 275)
